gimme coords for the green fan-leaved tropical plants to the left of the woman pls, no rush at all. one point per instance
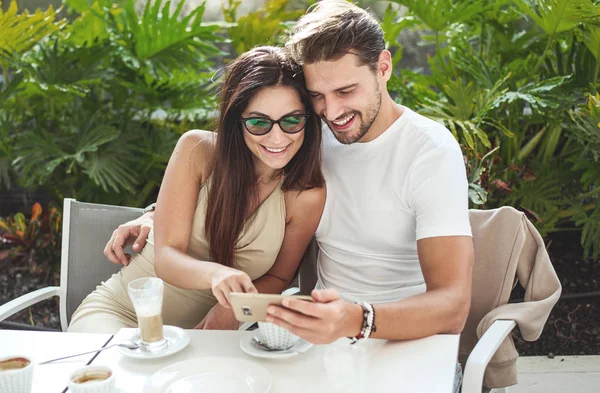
(94, 109)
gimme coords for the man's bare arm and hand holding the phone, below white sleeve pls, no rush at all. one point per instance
(446, 263)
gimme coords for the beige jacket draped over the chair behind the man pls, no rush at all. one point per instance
(507, 248)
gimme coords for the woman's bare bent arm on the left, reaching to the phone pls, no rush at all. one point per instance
(176, 204)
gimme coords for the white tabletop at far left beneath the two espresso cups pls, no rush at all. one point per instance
(41, 346)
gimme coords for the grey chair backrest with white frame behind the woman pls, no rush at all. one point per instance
(87, 227)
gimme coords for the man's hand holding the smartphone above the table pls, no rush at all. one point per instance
(321, 322)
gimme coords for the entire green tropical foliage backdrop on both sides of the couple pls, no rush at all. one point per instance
(91, 107)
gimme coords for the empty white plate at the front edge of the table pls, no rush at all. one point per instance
(210, 375)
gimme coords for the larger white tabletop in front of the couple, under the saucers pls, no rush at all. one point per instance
(426, 365)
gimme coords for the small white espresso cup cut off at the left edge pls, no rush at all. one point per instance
(16, 374)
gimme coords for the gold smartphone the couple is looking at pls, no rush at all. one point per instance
(252, 307)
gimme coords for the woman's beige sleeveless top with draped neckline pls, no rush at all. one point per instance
(260, 240)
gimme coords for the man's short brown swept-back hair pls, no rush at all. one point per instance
(331, 29)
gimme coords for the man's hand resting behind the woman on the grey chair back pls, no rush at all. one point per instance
(124, 235)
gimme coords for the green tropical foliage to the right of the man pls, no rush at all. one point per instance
(510, 80)
